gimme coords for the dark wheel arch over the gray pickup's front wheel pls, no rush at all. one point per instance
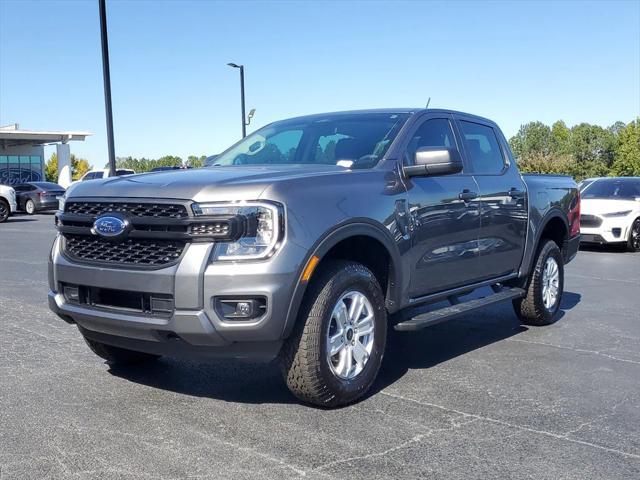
(337, 241)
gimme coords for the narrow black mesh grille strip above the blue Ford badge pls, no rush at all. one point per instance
(154, 210)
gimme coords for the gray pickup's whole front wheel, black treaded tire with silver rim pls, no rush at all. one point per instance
(311, 374)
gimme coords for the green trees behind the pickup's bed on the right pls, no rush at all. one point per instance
(581, 151)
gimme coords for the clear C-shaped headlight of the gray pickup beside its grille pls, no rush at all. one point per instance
(263, 229)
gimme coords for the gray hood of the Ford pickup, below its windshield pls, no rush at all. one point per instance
(202, 184)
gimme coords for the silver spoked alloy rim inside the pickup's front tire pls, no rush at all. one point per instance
(350, 336)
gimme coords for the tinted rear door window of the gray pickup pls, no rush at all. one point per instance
(482, 147)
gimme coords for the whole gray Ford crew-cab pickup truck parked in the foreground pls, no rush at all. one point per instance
(308, 240)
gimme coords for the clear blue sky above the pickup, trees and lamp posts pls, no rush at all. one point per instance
(173, 93)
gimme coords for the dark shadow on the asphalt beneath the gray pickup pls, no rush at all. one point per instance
(234, 381)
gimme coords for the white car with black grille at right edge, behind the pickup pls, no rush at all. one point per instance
(610, 212)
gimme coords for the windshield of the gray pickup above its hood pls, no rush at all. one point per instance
(348, 140)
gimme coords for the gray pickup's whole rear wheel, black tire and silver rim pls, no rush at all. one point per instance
(531, 309)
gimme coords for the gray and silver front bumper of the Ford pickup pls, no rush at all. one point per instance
(194, 327)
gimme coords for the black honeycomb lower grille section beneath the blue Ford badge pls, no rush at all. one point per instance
(132, 251)
